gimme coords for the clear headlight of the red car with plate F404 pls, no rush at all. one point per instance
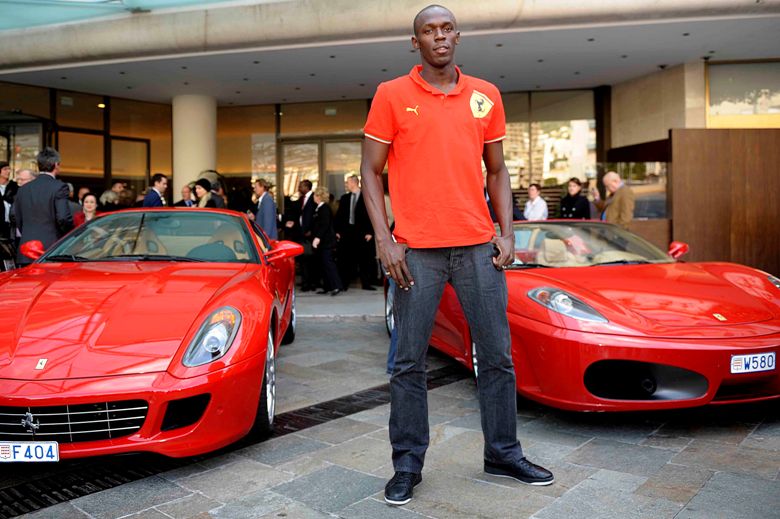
(214, 337)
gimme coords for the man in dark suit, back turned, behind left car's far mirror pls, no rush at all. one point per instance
(41, 207)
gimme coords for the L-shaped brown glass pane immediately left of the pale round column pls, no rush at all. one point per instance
(146, 121)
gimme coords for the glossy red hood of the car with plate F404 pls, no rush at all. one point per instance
(101, 319)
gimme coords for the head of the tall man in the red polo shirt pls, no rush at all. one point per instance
(435, 35)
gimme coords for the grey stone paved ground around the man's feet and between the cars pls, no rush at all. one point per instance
(719, 462)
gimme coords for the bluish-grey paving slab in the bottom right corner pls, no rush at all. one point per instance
(727, 495)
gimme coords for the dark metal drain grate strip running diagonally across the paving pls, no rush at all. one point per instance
(24, 489)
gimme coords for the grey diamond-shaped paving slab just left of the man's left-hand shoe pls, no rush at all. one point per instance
(331, 489)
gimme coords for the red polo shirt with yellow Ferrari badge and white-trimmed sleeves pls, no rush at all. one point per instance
(435, 158)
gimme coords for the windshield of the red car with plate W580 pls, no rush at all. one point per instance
(580, 244)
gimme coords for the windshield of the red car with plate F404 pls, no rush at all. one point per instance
(158, 236)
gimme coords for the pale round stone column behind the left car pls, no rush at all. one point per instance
(194, 138)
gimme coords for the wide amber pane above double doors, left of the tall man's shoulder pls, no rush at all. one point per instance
(346, 117)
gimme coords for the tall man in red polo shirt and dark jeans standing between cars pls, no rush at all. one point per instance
(436, 126)
